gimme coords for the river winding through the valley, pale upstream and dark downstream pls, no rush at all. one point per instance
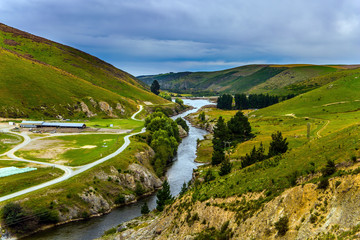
(179, 172)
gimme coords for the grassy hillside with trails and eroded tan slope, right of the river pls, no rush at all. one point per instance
(292, 185)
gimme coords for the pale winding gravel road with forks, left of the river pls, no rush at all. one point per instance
(68, 171)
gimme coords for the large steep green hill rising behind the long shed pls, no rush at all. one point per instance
(41, 78)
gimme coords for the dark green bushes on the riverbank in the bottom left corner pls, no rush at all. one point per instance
(22, 220)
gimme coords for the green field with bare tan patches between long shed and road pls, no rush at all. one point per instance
(74, 150)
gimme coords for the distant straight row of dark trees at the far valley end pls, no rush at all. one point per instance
(243, 101)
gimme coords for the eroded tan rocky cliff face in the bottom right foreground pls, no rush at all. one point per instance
(312, 213)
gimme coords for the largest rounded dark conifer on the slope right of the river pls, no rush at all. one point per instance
(239, 127)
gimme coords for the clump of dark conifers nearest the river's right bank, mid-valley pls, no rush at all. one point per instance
(237, 129)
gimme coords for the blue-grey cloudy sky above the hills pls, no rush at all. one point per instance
(158, 36)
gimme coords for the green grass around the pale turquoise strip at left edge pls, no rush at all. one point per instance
(17, 182)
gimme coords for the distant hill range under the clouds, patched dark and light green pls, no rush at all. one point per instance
(272, 79)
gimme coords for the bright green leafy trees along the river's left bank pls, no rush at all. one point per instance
(163, 138)
